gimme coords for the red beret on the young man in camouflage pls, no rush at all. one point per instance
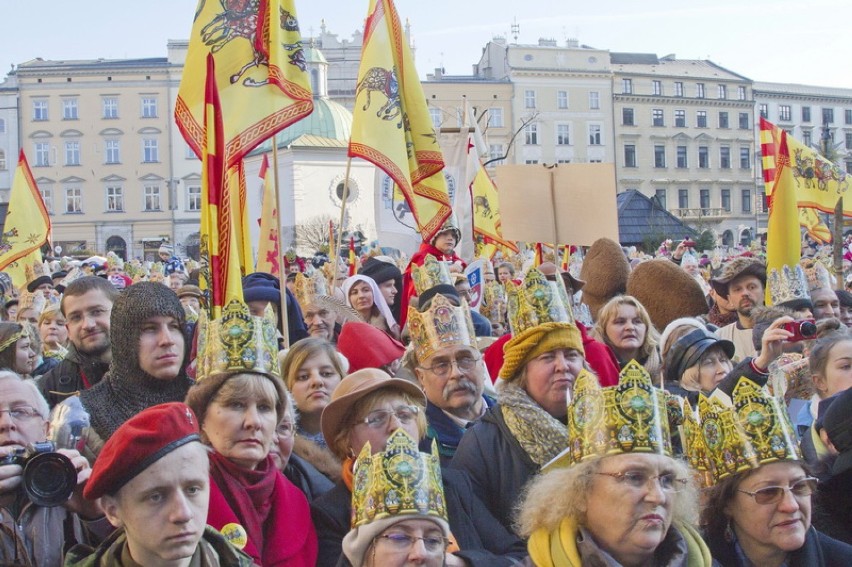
(141, 441)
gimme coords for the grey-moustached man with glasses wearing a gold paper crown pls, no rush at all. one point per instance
(448, 367)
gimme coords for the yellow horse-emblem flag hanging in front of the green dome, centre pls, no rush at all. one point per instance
(391, 126)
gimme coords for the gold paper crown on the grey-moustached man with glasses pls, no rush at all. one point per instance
(442, 325)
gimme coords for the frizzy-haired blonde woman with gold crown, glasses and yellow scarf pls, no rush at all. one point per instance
(616, 497)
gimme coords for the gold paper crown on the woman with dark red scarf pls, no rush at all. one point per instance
(237, 342)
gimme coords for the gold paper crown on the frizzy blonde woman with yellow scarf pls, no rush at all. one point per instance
(630, 417)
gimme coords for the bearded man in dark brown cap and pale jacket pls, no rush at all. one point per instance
(742, 282)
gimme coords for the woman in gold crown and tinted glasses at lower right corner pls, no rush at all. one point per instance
(758, 511)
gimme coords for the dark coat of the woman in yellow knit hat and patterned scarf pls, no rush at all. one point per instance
(497, 464)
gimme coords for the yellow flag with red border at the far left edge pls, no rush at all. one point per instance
(27, 225)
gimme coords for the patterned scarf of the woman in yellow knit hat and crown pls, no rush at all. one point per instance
(540, 435)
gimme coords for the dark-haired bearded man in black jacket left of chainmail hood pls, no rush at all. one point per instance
(86, 306)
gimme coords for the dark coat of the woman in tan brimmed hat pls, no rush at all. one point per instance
(483, 542)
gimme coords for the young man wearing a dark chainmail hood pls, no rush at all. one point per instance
(148, 353)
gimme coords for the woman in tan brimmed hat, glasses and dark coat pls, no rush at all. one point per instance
(368, 407)
